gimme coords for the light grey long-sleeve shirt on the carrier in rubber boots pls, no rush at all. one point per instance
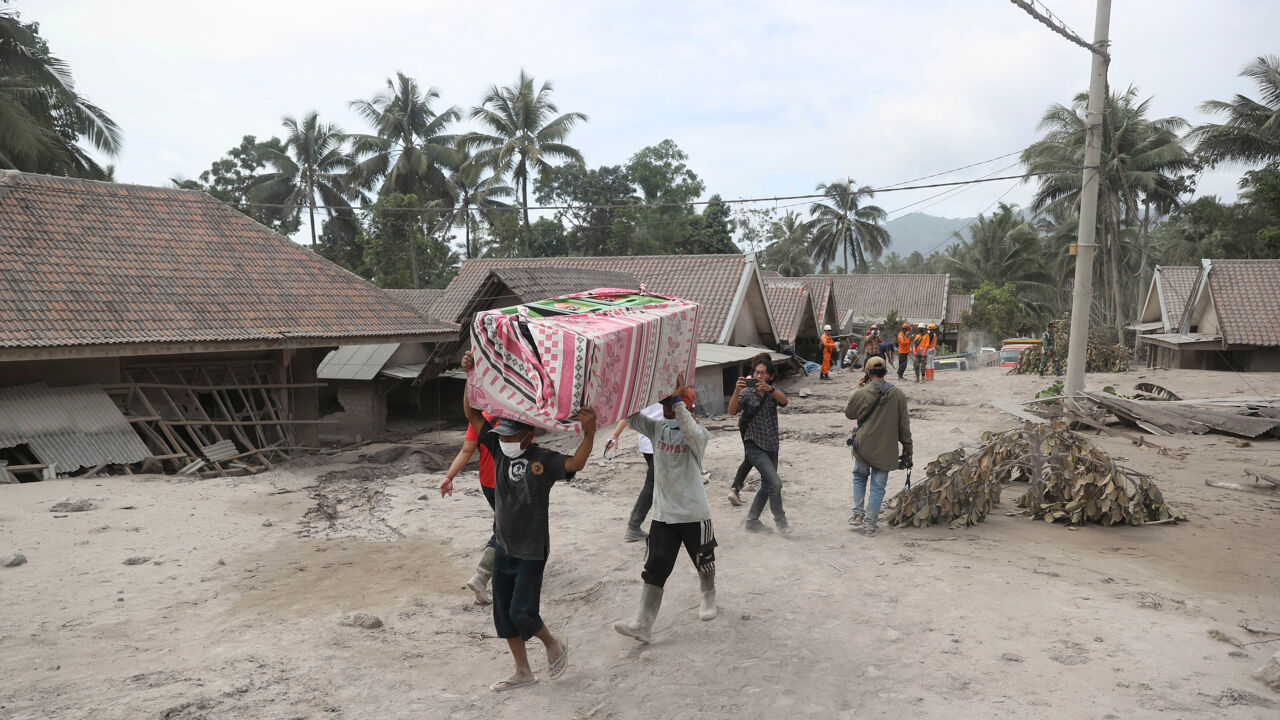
(679, 495)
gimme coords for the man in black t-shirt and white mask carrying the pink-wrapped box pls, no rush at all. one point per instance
(524, 475)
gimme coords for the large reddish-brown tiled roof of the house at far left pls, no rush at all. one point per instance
(95, 263)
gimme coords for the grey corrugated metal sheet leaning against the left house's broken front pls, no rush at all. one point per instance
(68, 427)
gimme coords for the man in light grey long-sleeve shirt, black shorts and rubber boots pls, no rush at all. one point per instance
(682, 516)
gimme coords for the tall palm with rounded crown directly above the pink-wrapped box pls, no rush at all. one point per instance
(525, 133)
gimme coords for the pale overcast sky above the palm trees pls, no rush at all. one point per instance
(766, 98)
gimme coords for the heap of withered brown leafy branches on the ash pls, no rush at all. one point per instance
(1071, 481)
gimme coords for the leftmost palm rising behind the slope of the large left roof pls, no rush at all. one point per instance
(314, 165)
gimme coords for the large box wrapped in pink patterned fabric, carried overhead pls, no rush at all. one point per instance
(619, 350)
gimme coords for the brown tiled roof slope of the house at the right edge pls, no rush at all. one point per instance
(1247, 298)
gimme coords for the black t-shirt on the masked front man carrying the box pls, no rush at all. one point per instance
(522, 490)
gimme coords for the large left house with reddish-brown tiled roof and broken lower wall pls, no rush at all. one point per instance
(161, 329)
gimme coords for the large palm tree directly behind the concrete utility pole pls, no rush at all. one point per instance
(1140, 161)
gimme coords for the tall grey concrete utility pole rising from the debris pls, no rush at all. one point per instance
(1082, 297)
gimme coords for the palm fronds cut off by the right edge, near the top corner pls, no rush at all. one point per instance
(1252, 130)
